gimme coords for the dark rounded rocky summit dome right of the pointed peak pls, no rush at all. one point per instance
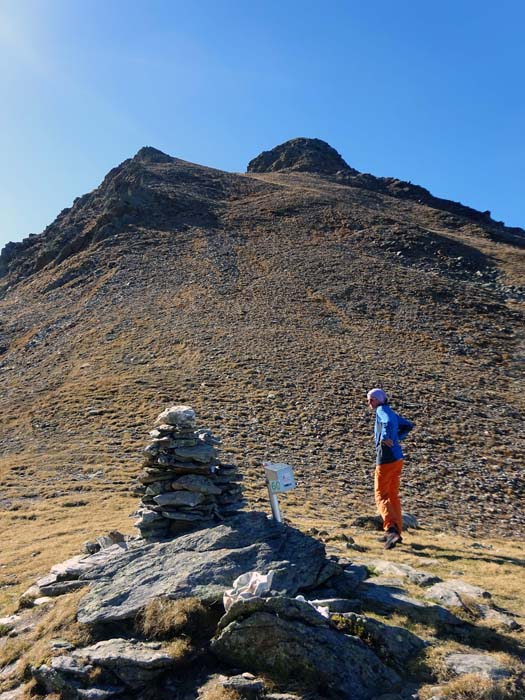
(301, 155)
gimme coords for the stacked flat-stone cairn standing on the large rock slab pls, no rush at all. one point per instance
(183, 485)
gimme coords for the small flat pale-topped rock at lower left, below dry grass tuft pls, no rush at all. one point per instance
(135, 663)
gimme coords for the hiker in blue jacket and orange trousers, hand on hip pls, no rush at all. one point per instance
(389, 429)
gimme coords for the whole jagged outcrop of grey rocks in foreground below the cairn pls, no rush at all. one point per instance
(330, 647)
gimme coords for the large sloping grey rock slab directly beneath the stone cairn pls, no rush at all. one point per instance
(203, 564)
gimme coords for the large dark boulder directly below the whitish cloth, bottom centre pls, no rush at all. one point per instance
(293, 647)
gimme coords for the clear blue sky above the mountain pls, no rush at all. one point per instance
(431, 92)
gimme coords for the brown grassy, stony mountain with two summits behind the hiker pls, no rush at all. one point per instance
(271, 301)
